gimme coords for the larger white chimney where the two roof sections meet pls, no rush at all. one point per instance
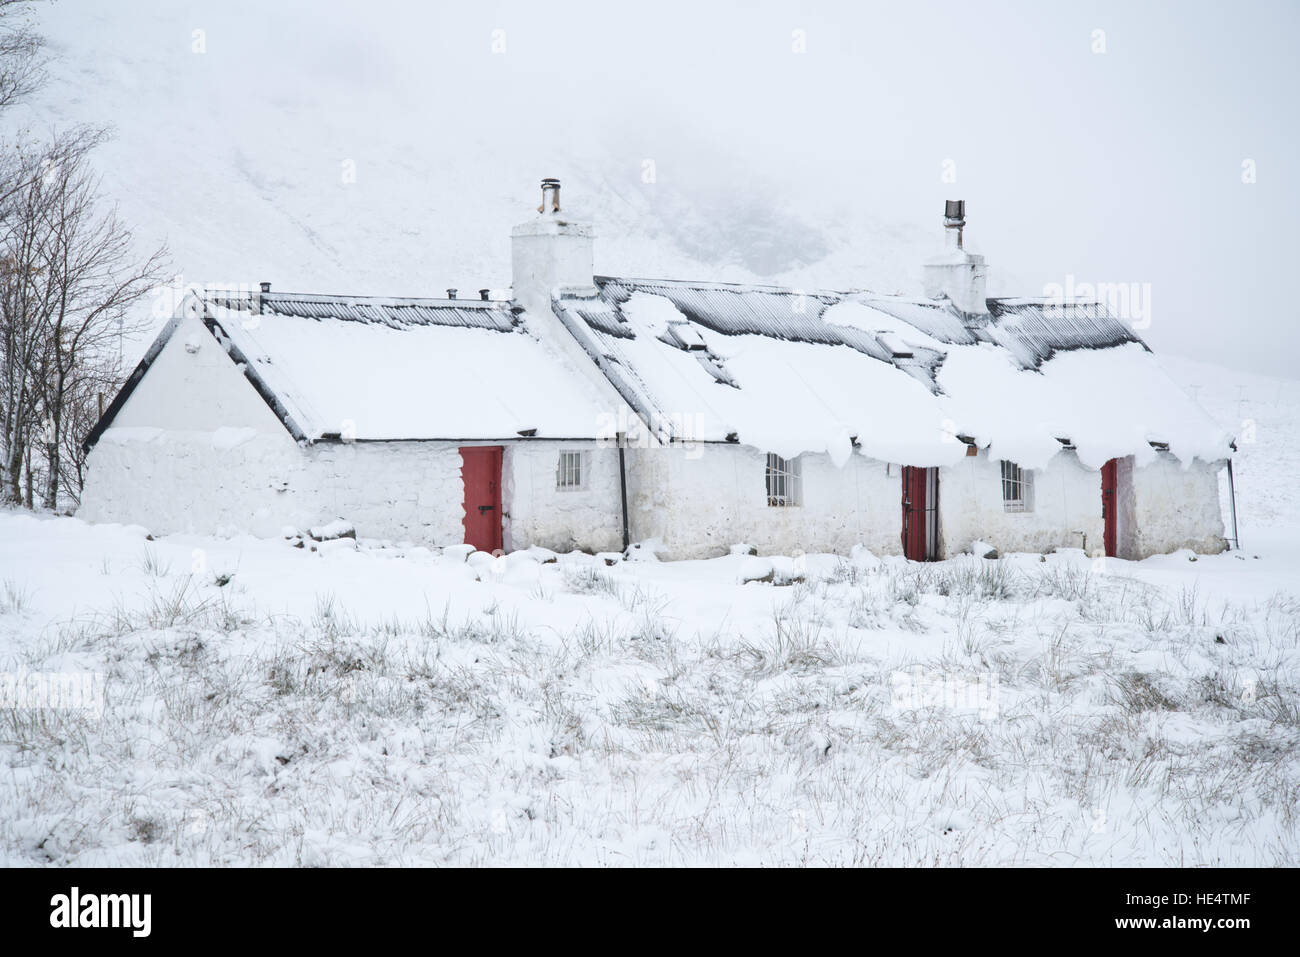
(551, 253)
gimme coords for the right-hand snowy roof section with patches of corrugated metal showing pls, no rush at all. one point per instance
(900, 380)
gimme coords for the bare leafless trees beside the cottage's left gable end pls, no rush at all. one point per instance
(70, 276)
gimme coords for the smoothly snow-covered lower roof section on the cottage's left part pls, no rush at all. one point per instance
(379, 369)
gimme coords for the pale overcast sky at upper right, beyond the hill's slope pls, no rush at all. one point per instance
(1124, 166)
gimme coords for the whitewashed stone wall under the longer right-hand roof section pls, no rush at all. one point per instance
(701, 503)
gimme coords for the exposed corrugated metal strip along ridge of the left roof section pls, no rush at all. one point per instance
(397, 314)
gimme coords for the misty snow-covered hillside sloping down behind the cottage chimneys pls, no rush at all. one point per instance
(358, 174)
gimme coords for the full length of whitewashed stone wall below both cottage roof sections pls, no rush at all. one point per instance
(196, 482)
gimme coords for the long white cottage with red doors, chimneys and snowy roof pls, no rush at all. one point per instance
(590, 413)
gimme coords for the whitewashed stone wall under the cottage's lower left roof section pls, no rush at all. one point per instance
(181, 482)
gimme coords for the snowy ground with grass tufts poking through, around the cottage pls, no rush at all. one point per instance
(366, 704)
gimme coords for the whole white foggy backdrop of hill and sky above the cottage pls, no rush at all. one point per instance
(388, 148)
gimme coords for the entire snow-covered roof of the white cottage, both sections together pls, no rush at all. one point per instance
(900, 380)
